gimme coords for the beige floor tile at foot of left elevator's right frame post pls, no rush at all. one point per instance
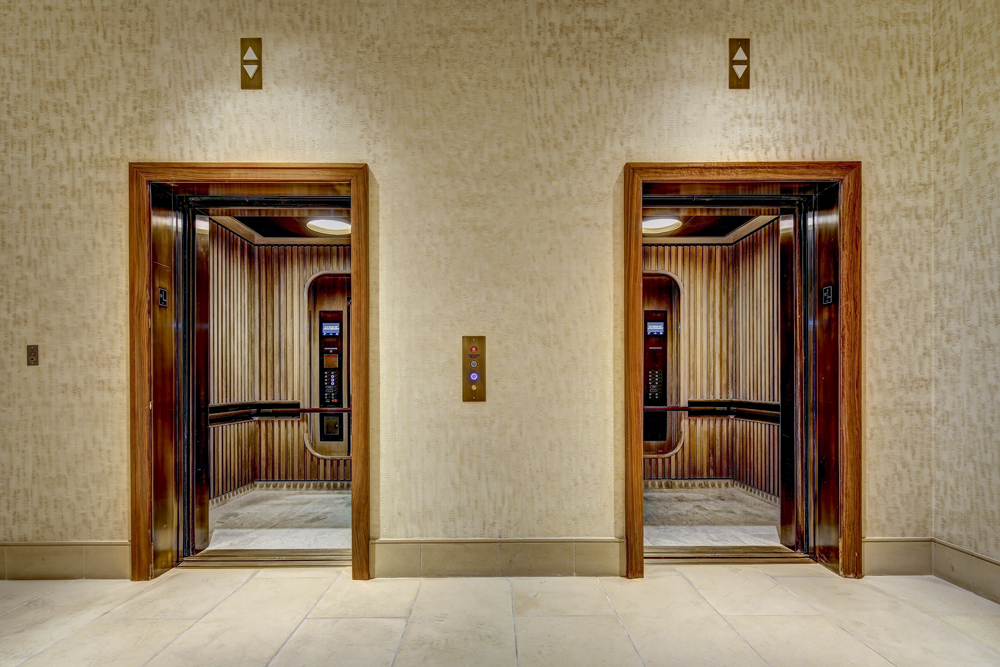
(377, 598)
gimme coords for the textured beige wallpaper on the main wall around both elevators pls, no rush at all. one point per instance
(496, 132)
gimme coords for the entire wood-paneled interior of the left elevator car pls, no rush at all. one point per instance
(279, 432)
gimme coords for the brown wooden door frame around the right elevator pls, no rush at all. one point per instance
(848, 175)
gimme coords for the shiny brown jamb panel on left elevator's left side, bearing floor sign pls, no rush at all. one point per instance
(163, 319)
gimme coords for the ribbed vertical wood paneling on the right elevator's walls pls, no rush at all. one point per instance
(729, 350)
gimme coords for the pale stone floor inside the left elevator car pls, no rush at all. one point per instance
(278, 519)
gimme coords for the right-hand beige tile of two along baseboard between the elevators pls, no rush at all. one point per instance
(560, 597)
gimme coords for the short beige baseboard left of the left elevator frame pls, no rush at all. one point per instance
(65, 560)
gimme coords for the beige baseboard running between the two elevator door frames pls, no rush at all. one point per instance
(497, 558)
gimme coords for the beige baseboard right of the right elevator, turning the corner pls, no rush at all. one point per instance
(928, 555)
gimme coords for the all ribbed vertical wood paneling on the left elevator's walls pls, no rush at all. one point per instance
(257, 310)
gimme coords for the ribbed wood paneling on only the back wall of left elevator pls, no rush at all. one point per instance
(283, 273)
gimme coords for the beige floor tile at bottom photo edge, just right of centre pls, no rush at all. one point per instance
(553, 641)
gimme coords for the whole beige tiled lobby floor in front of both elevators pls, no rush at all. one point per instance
(686, 615)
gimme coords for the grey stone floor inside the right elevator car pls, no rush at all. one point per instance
(708, 517)
